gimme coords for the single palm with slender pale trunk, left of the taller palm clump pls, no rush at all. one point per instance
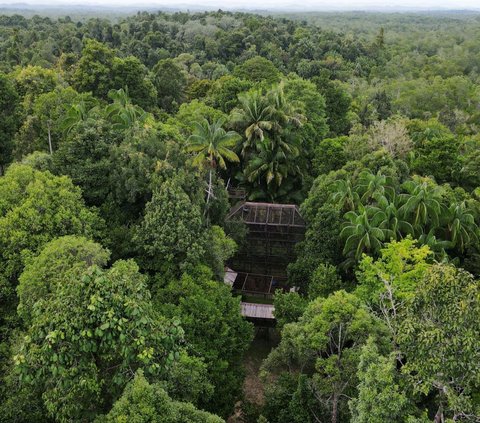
(213, 147)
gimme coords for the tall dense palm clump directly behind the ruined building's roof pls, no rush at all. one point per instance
(271, 145)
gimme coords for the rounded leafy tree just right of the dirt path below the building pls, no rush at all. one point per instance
(325, 345)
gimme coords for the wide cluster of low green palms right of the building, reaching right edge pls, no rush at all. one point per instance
(379, 209)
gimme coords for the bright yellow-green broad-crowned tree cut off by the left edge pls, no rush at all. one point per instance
(36, 207)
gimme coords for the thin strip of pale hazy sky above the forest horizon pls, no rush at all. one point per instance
(273, 4)
